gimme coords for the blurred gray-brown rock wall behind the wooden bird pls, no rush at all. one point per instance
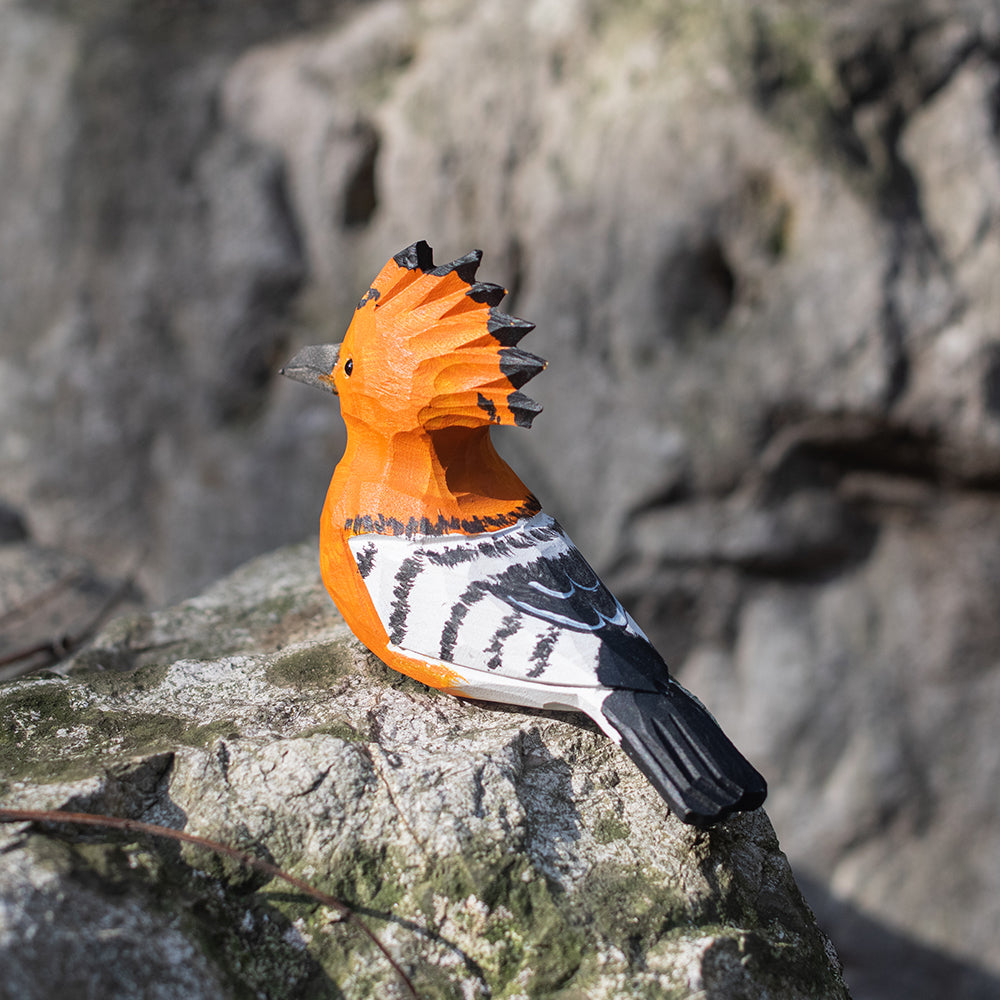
(761, 243)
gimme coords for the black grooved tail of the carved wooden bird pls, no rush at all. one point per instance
(681, 749)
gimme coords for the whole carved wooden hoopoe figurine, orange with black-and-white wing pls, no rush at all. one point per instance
(442, 561)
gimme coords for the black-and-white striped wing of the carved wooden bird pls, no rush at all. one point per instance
(520, 603)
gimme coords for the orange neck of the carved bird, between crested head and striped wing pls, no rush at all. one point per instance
(425, 482)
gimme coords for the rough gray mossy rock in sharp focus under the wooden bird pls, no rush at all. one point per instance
(498, 853)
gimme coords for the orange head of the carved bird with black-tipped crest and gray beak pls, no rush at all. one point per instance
(427, 349)
